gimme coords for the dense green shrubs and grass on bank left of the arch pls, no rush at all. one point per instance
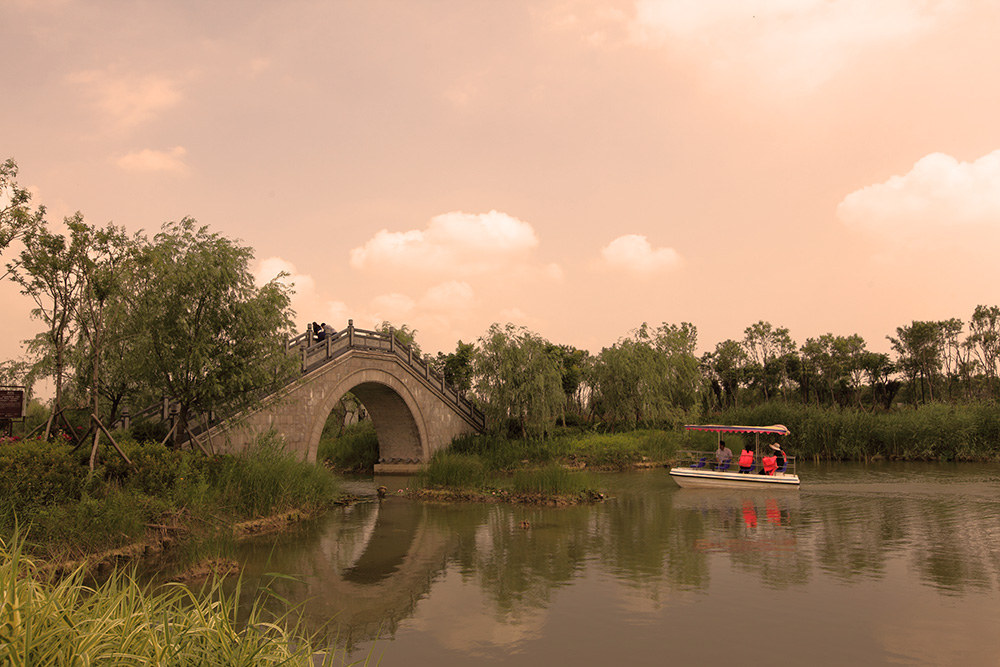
(73, 512)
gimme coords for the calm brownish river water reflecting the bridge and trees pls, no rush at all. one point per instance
(864, 565)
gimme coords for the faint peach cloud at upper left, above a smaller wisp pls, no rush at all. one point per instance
(129, 100)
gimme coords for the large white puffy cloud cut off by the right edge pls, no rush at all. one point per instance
(938, 193)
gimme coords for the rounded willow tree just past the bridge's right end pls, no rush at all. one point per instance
(518, 379)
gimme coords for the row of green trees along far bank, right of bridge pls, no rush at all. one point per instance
(652, 377)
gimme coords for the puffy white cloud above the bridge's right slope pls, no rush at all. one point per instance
(456, 243)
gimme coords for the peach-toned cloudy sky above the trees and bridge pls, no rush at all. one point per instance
(576, 167)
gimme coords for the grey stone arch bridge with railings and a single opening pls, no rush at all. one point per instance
(415, 412)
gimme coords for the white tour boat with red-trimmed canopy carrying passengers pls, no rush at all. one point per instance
(700, 469)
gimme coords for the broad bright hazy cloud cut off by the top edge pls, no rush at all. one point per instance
(792, 46)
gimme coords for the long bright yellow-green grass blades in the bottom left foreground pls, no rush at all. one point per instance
(121, 622)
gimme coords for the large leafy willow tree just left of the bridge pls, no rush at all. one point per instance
(213, 339)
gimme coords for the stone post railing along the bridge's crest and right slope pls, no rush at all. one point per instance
(316, 352)
